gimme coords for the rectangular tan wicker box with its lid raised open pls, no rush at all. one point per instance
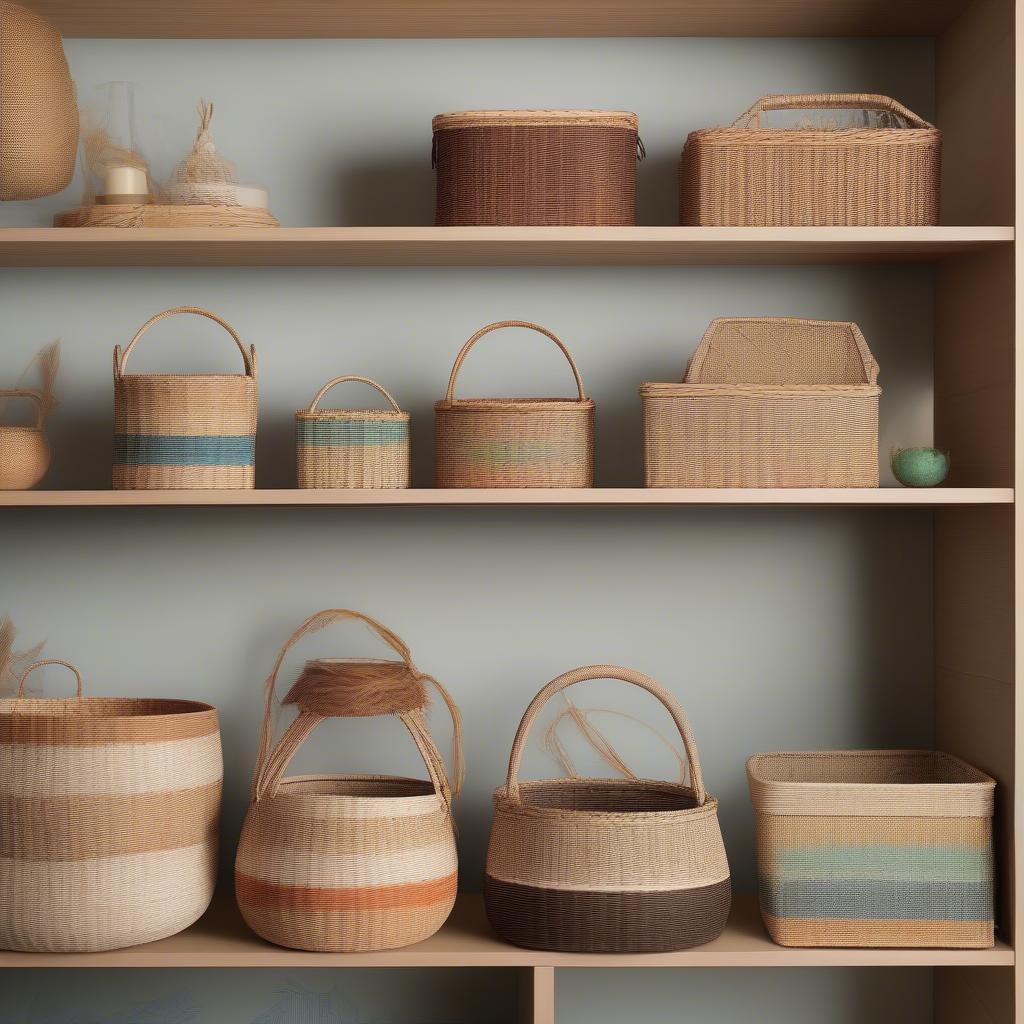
(771, 403)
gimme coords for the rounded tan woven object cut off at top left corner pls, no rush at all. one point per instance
(38, 110)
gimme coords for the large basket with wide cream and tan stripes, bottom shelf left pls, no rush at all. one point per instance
(110, 810)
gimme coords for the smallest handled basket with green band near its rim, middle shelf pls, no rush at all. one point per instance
(352, 448)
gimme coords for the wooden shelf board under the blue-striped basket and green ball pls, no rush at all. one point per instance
(594, 497)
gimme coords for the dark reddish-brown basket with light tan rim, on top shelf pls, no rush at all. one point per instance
(537, 167)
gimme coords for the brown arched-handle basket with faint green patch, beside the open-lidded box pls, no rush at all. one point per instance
(515, 443)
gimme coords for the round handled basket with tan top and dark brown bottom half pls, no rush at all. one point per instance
(607, 866)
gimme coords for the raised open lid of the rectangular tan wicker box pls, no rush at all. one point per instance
(782, 351)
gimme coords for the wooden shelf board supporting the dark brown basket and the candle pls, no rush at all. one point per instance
(486, 246)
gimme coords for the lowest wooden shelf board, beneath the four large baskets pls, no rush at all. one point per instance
(222, 940)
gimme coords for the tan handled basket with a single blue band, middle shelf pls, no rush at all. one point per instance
(176, 432)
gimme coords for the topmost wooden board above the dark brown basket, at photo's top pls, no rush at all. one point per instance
(412, 19)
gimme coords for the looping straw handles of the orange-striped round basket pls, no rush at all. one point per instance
(272, 761)
